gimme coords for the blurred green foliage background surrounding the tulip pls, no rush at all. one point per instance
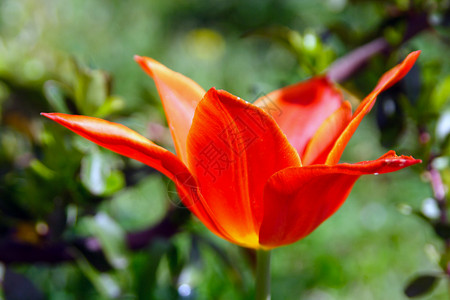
(79, 222)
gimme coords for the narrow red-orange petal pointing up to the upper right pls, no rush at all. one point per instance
(387, 80)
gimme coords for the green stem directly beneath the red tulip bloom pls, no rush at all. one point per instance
(262, 285)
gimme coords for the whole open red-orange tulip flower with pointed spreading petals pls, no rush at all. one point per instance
(259, 175)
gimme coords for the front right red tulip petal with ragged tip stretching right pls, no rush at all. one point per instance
(297, 200)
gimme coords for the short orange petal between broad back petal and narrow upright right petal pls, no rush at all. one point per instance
(323, 140)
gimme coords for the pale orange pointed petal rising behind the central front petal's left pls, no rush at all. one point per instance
(179, 95)
